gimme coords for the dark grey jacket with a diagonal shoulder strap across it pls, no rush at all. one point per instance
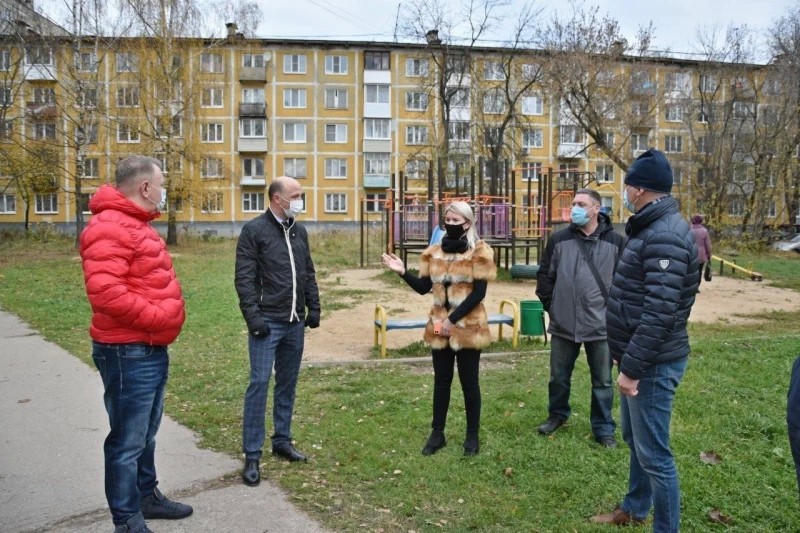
(566, 286)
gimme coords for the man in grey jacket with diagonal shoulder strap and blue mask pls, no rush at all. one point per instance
(572, 283)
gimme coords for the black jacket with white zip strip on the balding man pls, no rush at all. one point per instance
(265, 280)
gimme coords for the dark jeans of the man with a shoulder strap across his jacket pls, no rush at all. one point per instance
(563, 354)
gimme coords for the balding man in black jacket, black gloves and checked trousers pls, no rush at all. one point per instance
(276, 283)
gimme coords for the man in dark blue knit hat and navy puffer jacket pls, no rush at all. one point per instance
(648, 308)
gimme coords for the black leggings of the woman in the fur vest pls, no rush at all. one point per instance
(468, 363)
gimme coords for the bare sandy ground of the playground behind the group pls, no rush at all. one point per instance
(347, 334)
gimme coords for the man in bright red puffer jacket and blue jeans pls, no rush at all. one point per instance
(137, 310)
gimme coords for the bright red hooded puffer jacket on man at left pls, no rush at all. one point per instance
(131, 285)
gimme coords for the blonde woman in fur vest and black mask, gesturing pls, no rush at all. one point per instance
(458, 270)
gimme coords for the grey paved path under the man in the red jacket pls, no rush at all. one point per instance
(52, 427)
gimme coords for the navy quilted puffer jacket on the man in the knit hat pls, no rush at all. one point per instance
(653, 290)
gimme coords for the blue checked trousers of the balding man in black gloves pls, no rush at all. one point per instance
(283, 348)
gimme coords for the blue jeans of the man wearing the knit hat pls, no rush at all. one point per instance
(645, 421)
